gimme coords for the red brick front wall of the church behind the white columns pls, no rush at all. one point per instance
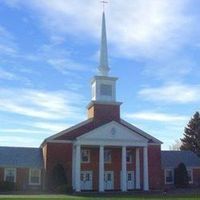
(62, 154)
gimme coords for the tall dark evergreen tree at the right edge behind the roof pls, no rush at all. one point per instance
(191, 140)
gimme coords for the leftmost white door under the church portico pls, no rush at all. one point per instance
(86, 180)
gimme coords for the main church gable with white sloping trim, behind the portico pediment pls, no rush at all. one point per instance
(88, 125)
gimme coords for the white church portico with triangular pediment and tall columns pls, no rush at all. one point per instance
(112, 135)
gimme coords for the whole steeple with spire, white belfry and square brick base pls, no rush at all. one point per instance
(104, 106)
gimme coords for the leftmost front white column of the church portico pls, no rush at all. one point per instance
(78, 168)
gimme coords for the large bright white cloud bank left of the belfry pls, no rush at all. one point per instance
(55, 105)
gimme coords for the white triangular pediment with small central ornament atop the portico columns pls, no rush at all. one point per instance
(113, 131)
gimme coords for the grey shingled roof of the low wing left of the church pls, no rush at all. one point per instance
(21, 157)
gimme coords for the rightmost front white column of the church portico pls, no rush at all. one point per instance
(146, 175)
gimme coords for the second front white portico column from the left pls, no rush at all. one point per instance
(101, 169)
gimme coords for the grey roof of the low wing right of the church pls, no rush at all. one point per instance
(171, 159)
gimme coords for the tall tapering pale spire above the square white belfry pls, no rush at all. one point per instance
(103, 67)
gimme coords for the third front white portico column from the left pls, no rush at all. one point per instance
(124, 173)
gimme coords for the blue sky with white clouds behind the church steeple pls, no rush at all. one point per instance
(49, 53)
